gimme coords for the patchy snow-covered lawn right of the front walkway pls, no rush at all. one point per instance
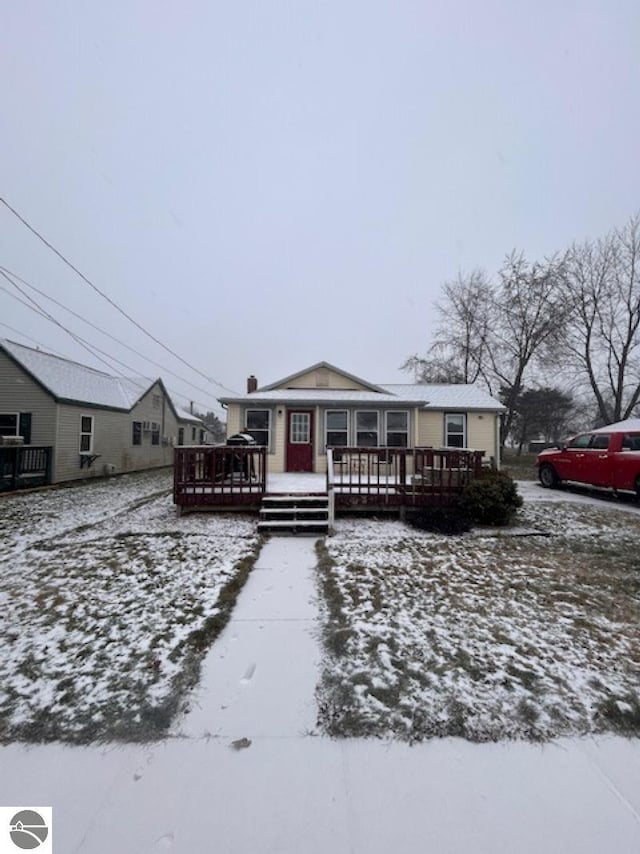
(486, 636)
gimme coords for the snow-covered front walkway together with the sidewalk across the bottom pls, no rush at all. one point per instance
(244, 773)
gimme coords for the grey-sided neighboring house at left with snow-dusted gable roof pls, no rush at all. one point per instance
(95, 424)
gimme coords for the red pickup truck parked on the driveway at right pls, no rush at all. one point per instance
(608, 457)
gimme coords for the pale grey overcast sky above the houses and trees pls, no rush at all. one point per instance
(266, 185)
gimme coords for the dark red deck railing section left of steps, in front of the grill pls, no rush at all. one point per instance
(219, 475)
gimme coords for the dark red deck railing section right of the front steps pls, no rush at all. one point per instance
(399, 476)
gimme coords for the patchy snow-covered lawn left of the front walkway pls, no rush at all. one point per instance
(109, 600)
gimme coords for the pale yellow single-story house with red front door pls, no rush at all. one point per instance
(298, 417)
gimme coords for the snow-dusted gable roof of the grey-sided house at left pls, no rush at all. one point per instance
(71, 382)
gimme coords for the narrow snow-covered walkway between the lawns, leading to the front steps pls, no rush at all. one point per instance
(258, 680)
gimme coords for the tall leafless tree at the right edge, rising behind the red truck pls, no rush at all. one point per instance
(601, 286)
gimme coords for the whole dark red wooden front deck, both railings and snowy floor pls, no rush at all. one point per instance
(357, 479)
